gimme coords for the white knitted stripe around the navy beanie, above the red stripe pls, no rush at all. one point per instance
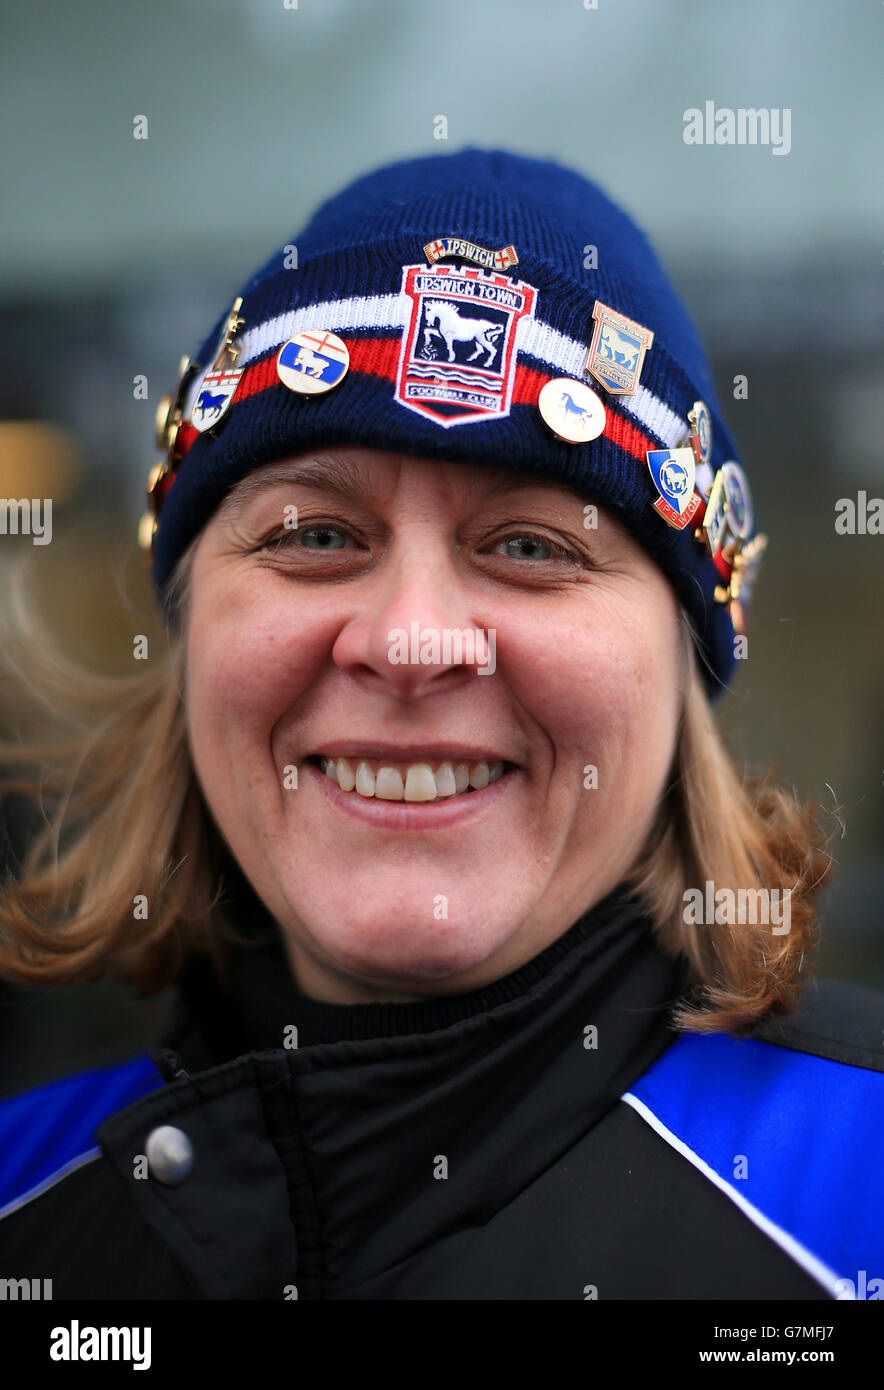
(533, 337)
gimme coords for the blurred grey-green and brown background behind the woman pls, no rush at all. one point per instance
(119, 254)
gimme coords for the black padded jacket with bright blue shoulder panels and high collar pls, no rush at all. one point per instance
(470, 1147)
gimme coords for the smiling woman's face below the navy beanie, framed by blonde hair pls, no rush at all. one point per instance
(547, 644)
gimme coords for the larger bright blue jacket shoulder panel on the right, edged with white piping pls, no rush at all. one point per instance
(811, 1132)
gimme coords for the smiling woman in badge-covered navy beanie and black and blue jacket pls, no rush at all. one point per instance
(476, 925)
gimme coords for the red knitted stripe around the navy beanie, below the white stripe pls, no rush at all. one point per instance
(380, 358)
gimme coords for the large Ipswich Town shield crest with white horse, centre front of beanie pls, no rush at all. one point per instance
(458, 359)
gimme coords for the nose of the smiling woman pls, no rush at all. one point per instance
(416, 635)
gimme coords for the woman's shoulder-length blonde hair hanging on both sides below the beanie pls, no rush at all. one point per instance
(124, 818)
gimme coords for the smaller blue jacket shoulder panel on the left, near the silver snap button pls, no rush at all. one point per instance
(45, 1129)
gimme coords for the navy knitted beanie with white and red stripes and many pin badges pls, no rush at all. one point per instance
(411, 250)
